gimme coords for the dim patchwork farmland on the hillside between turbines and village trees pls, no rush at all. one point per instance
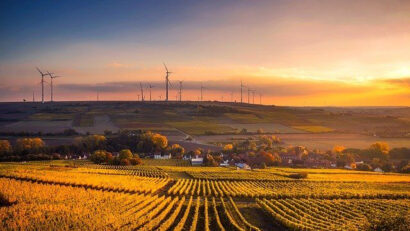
(213, 122)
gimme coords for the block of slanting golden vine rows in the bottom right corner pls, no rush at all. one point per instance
(317, 214)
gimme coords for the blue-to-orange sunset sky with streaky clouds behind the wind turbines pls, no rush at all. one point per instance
(339, 53)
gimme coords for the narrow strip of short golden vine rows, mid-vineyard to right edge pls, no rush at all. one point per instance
(287, 189)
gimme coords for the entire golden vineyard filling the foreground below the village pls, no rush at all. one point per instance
(149, 197)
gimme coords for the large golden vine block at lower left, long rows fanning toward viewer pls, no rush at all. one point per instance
(81, 209)
